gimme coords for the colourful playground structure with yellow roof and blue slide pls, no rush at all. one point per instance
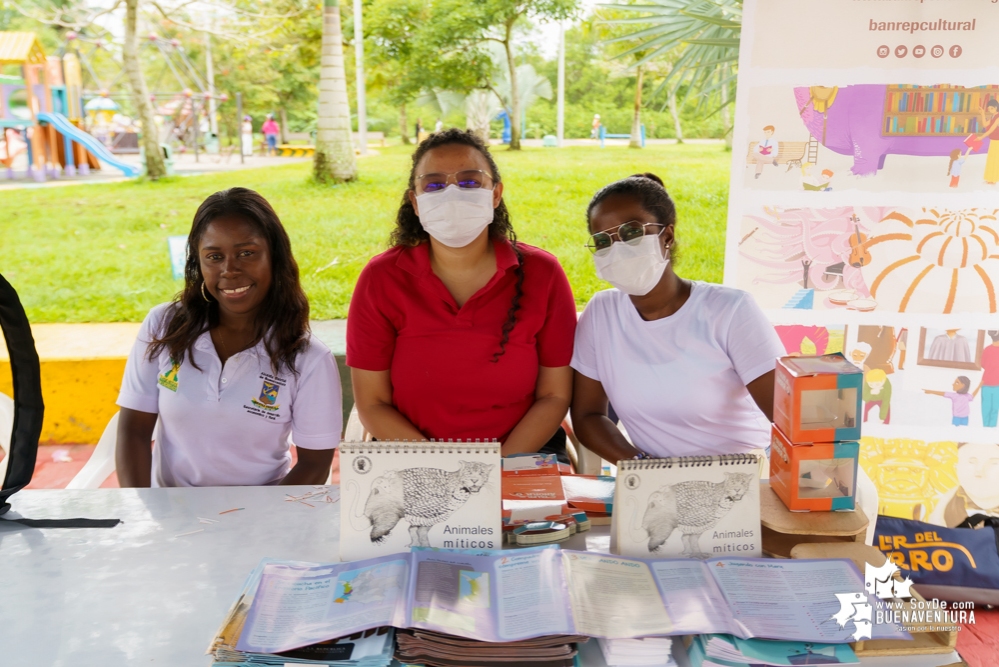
(41, 113)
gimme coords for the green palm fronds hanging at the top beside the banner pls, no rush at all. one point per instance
(706, 34)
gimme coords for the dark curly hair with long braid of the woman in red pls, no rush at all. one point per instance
(409, 232)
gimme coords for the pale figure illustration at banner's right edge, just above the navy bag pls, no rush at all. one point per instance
(977, 491)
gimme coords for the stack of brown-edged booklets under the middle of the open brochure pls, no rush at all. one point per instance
(434, 649)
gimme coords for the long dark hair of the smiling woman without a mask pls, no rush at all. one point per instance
(283, 318)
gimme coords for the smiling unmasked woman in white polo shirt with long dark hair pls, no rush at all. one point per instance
(230, 369)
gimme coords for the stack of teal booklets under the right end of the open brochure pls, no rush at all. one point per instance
(730, 651)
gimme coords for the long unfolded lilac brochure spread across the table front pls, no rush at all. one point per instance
(502, 596)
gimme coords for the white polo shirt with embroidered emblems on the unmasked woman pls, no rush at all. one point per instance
(230, 426)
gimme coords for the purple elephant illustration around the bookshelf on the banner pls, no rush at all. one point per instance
(852, 125)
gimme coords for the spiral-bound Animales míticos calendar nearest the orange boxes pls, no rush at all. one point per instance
(688, 507)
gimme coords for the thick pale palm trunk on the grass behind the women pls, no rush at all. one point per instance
(334, 160)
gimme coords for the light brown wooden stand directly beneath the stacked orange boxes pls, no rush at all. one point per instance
(783, 529)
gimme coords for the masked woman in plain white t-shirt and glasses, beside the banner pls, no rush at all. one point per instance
(688, 366)
